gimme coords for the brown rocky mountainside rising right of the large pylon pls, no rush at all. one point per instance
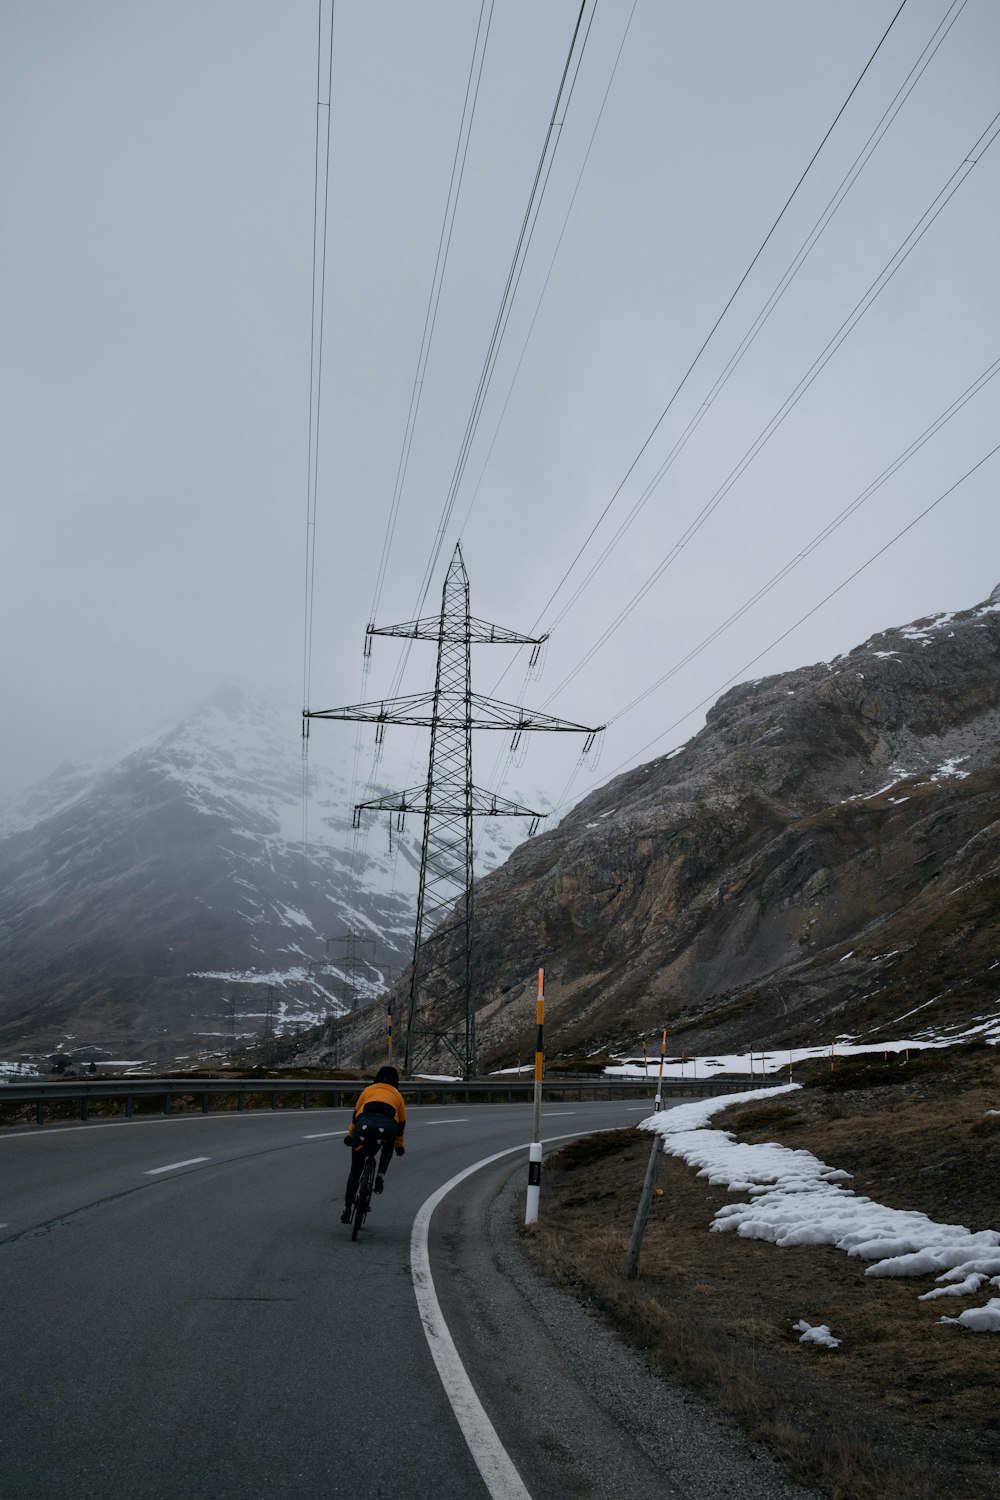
(822, 859)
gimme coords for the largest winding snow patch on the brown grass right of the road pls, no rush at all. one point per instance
(795, 1199)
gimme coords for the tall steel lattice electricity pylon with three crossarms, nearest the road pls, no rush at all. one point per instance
(448, 800)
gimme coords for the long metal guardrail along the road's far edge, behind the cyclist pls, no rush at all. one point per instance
(338, 1094)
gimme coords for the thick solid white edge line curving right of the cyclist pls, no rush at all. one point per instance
(491, 1457)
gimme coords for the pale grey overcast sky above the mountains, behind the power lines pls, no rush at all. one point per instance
(157, 176)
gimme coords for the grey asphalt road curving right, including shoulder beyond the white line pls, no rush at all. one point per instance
(184, 1315)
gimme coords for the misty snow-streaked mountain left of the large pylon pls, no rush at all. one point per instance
(142, 898)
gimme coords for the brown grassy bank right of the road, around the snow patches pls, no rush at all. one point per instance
(908, 1405)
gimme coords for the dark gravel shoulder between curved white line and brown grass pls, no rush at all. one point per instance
(579, 1409)
